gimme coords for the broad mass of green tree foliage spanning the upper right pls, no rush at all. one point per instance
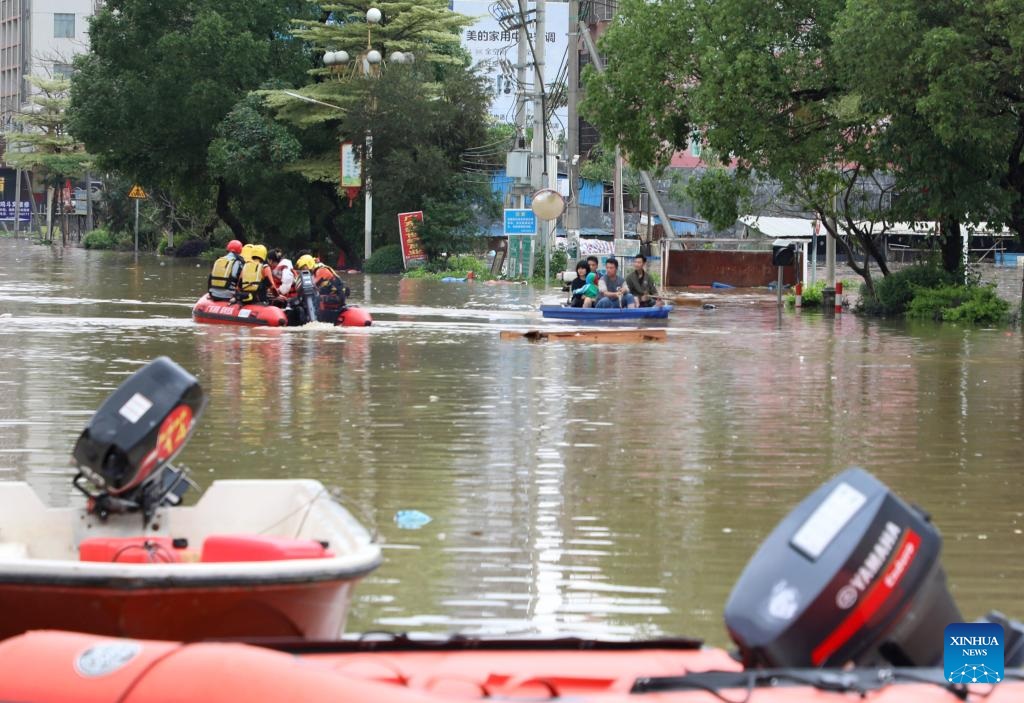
(824, 98)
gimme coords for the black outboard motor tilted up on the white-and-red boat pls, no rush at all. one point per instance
(125, 451)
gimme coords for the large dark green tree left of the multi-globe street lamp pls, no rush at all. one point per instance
(161, 77)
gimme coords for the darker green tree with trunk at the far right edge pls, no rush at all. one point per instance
(945, 99)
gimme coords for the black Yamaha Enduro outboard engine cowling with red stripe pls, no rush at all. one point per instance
(851, 576)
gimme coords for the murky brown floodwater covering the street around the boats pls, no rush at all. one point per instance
(610, 491)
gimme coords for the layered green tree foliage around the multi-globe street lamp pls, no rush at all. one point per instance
(423, 118)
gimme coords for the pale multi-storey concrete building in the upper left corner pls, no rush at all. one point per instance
(41, 38)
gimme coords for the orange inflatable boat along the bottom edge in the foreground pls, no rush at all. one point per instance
(66, 667)
